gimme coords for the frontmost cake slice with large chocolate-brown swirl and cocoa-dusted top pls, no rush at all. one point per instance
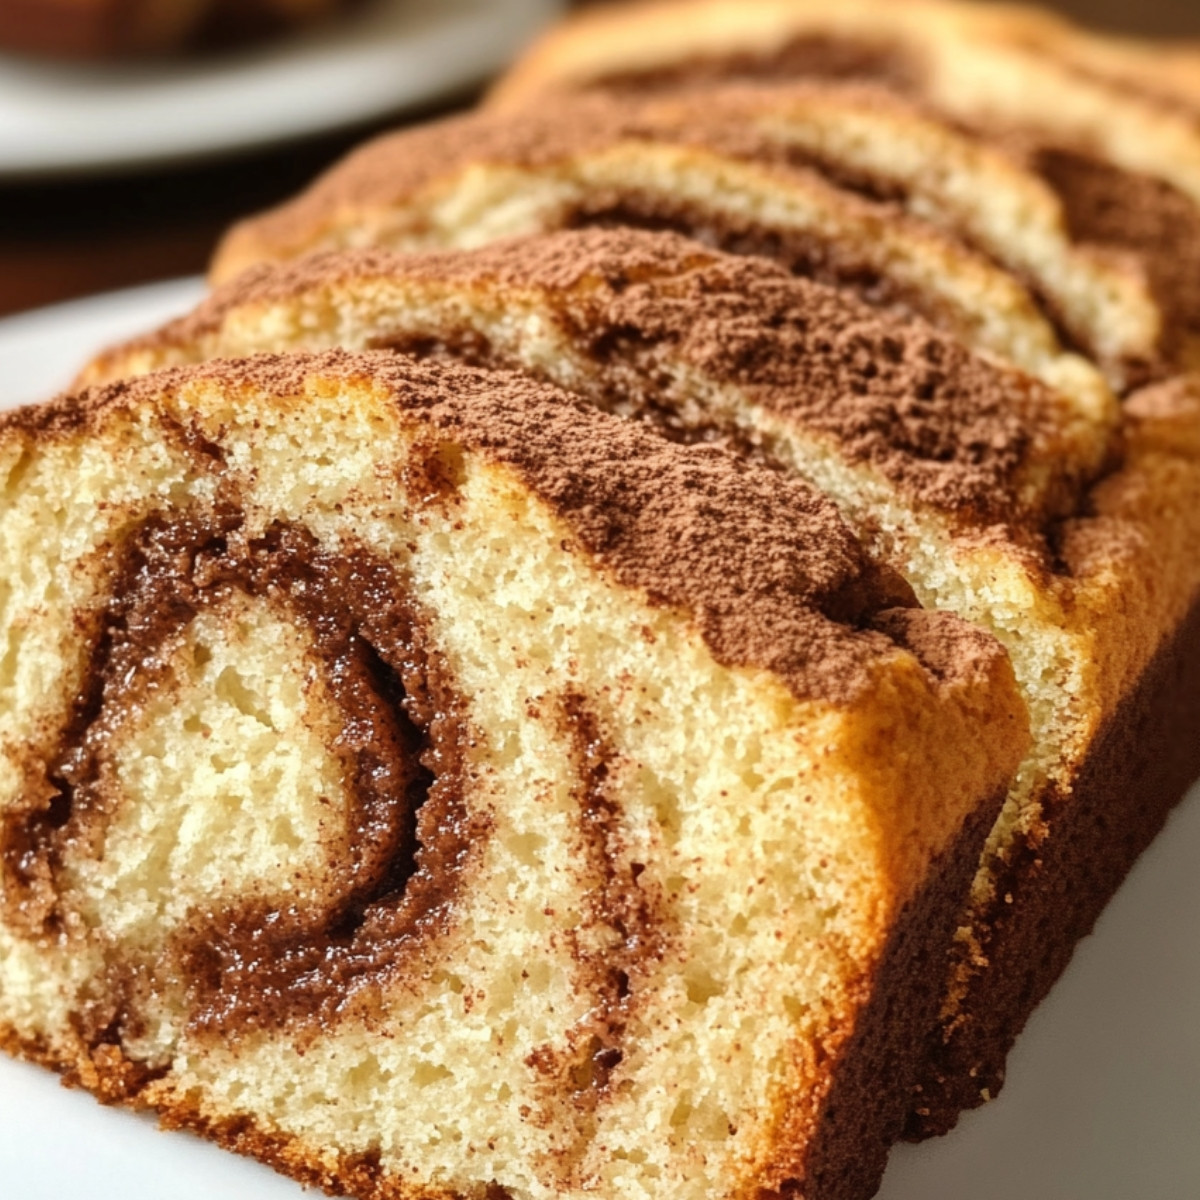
(586, 814)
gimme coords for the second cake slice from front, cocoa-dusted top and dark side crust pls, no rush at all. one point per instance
(993, 496)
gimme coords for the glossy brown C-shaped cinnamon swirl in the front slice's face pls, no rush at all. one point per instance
(406, 832)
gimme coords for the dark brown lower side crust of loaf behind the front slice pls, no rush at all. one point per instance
(1052, 892)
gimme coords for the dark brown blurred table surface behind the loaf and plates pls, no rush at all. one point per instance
(63, 239)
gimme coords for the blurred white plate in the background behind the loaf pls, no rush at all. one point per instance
(393, 55)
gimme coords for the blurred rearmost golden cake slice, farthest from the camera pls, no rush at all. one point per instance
(1112, 129)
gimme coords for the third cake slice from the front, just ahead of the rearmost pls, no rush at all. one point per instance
(722, 172)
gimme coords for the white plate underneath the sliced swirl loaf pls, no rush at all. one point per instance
(1103, 1093)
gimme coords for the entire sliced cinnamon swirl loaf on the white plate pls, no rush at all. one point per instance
(527, 692)
